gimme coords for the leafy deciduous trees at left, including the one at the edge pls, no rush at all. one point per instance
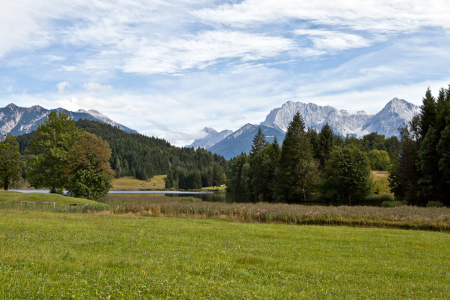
(60, 156)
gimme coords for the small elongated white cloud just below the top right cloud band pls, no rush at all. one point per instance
(333, 40)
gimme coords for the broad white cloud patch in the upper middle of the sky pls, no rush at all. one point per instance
(204, 49)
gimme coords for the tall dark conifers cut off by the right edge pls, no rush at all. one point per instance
(422, 171)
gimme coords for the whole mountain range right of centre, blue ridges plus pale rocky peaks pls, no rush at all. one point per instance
(386, 122)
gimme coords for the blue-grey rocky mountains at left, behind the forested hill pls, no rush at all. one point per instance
(21, 120)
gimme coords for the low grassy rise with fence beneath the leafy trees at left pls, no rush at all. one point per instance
(8, 196)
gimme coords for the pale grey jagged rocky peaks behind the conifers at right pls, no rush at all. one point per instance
(386, 122)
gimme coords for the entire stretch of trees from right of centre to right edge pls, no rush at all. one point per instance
(338, 169)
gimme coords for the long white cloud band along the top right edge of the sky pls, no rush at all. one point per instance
(380, 15)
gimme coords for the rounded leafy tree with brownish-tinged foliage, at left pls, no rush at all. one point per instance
(87, 168)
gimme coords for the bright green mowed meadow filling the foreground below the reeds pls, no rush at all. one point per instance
(84, 256)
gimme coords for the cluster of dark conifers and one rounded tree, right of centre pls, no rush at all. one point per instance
(307, 161)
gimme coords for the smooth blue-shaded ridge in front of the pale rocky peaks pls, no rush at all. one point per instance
(242, 140)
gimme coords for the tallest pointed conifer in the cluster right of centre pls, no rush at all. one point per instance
(296, 165)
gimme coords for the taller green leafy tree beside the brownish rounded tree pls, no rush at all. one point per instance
(53, 139)
